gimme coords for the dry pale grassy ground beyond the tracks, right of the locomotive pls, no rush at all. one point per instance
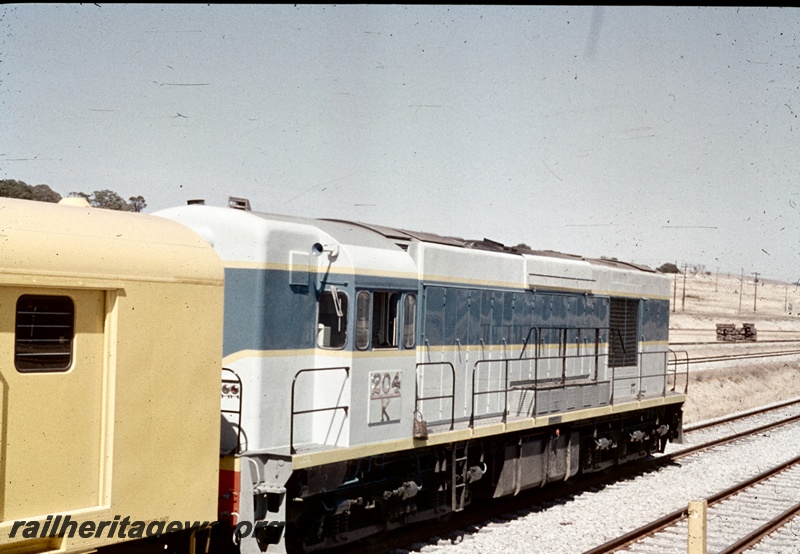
(708, 299)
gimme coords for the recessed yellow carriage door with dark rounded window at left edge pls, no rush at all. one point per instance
(51, 387)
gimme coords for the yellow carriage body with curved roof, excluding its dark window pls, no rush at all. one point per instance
(132, 428)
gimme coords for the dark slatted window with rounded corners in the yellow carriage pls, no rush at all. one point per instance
(44, 332)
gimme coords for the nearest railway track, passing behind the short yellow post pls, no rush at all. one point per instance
(738, 518)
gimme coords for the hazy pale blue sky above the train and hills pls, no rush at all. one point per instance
(650, 134)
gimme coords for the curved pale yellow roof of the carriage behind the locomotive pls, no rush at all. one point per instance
(41, 240)
